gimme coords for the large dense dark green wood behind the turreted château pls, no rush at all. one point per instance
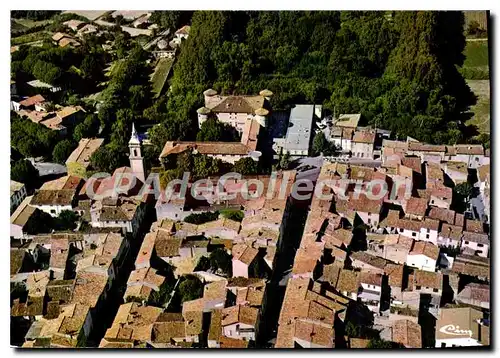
(399, 70)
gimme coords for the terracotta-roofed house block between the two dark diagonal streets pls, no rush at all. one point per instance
(231, 305)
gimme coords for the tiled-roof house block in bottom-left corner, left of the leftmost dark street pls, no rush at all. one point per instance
(59, 285)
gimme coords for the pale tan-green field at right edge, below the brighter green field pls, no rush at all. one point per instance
(481, 110)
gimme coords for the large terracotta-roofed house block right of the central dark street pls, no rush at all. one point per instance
(401, 256)
